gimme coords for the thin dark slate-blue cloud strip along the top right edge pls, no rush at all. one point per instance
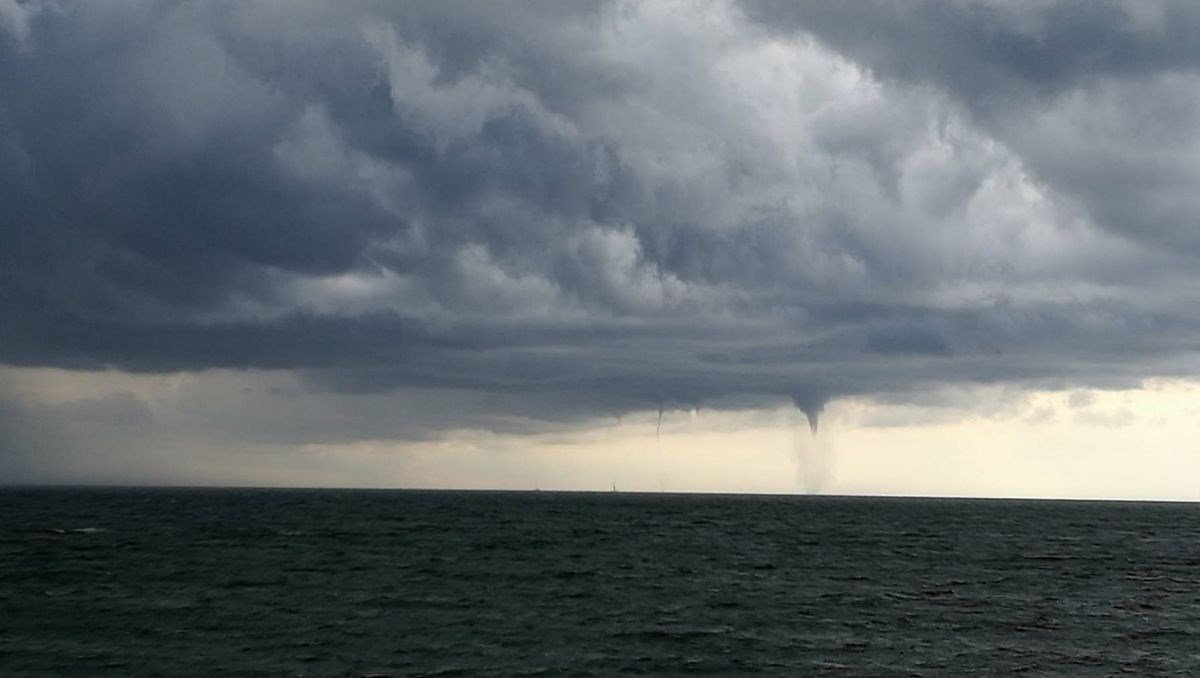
(994, 53)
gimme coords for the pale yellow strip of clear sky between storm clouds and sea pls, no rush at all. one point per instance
(1006, 443)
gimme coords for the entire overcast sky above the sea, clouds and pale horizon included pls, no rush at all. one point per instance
(338, 244)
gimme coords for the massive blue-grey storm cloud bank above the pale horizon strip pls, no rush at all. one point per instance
(595, 208)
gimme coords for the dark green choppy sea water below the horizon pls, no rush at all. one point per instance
(274, 583)
